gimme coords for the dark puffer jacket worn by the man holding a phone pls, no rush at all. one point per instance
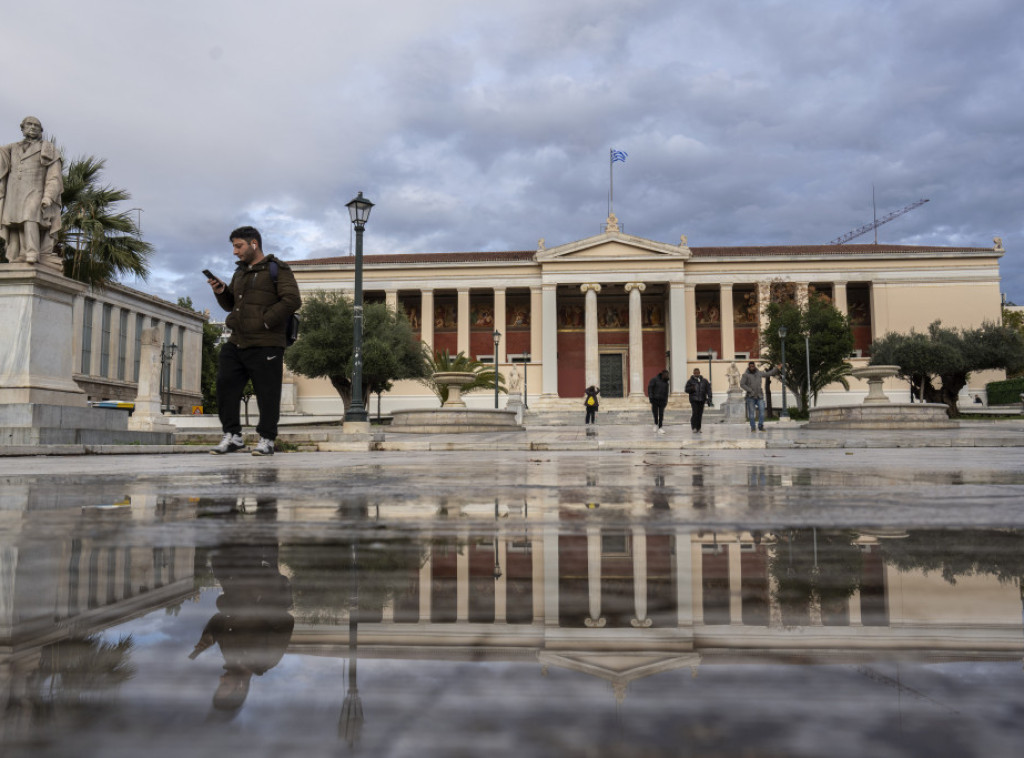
(260, 308)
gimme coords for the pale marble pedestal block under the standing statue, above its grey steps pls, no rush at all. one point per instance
(37, 339)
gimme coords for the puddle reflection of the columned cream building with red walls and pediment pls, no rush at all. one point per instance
(623, 600)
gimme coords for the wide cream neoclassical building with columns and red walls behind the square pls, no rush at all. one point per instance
(614, 310)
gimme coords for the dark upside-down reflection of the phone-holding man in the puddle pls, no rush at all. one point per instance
(252, 626)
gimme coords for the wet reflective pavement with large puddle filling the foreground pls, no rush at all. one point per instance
(770, 602)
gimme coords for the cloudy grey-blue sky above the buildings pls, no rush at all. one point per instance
(482, 125)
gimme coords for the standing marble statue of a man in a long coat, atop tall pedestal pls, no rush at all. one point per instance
(31, 184)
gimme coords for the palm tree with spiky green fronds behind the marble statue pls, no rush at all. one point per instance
(98, 243)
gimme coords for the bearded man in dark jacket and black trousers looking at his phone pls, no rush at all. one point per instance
(261, 298)
